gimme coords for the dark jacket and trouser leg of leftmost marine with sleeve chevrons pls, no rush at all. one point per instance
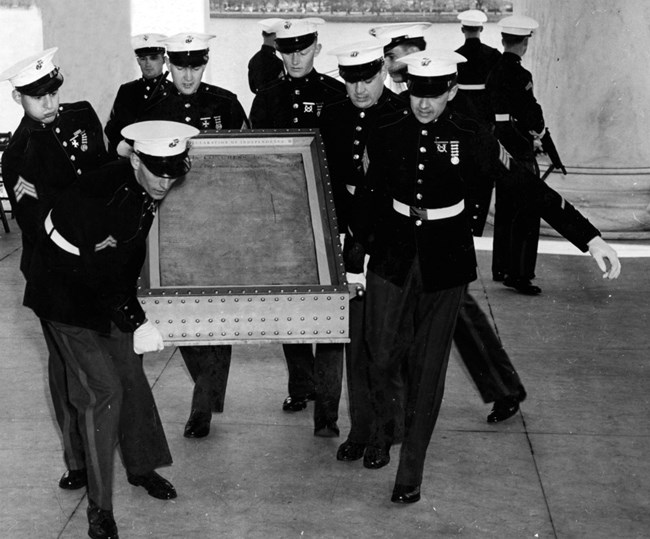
(41, 161)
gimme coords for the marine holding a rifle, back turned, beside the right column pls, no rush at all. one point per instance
(519, 122)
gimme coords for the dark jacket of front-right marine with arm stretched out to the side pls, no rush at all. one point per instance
(436, 166)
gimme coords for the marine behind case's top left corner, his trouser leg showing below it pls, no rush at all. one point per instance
(207, 108)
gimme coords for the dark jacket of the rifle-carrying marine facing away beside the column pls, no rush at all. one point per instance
(510, 88)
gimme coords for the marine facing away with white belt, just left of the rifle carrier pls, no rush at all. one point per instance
(472, 99)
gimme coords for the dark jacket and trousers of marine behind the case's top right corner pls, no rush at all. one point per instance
(297, 103)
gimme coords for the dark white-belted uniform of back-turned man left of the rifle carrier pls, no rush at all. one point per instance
(472, 99)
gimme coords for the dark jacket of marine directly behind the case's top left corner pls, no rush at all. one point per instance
(209, 108)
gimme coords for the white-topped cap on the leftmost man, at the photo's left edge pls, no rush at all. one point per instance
(36, 75)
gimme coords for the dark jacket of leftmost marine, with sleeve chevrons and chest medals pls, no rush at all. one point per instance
(42, 160)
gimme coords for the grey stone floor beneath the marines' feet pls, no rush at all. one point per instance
(573, 463)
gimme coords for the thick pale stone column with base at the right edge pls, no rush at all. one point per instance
(590, 61)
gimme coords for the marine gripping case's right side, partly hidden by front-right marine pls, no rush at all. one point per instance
(345, 126)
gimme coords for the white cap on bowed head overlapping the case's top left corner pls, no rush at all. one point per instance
(162, 145)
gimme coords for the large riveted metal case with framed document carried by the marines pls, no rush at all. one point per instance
(246, 248)
